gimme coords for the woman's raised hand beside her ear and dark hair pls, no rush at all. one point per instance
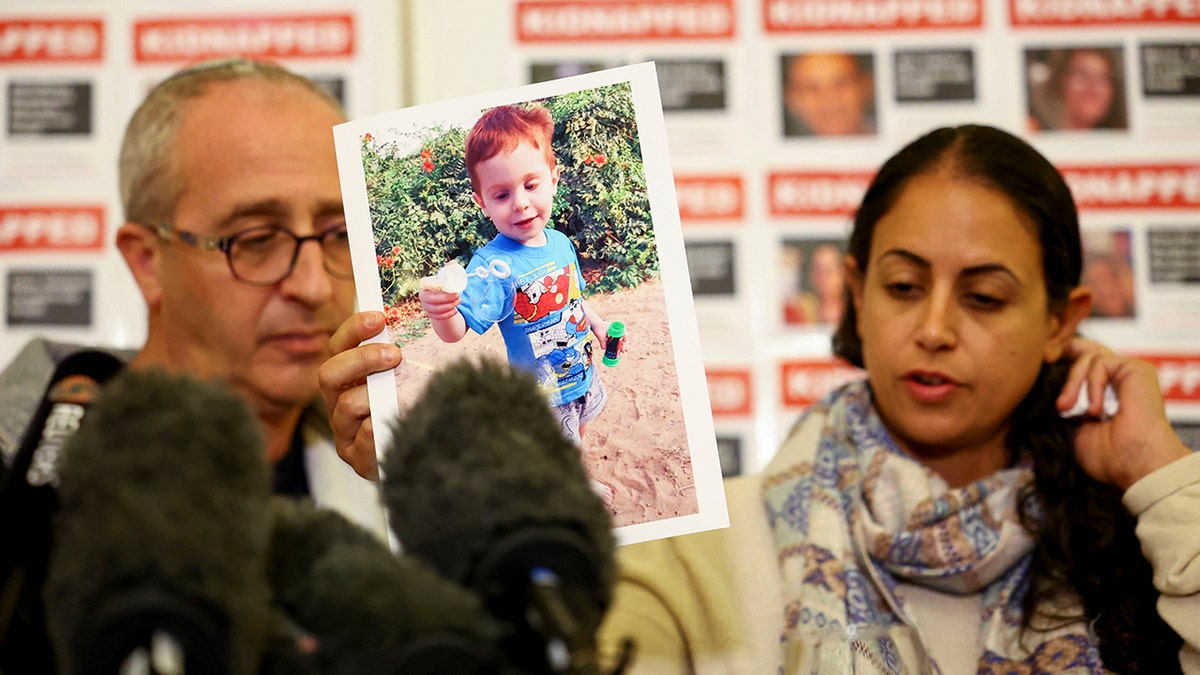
(1139, 439)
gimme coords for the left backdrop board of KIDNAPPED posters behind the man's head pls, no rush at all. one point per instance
(70, 77)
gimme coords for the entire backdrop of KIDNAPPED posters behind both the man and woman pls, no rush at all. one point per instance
(758, 190)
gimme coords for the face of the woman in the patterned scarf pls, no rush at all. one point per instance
(955, 321)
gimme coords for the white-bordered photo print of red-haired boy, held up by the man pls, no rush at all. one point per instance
(538, 226)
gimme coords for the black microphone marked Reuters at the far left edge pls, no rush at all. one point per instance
(29, 498)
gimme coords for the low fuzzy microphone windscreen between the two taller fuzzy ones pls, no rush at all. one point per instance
(370, 611)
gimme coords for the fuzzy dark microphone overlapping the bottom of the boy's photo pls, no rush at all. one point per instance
(481, 482)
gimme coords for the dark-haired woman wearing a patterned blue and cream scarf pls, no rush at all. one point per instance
(941, 516)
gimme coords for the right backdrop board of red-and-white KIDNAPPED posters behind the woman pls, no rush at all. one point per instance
(765, 183)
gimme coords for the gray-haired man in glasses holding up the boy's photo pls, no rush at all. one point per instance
(236, 237)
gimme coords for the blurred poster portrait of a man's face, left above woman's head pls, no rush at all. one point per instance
(829, 94)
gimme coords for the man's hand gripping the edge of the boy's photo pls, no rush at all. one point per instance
(344, 386)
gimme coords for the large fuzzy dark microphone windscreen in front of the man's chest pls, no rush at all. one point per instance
(163, 527)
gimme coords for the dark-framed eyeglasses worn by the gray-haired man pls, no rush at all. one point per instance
(267, 255)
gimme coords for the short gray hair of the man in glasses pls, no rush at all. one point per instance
(151, 180)
